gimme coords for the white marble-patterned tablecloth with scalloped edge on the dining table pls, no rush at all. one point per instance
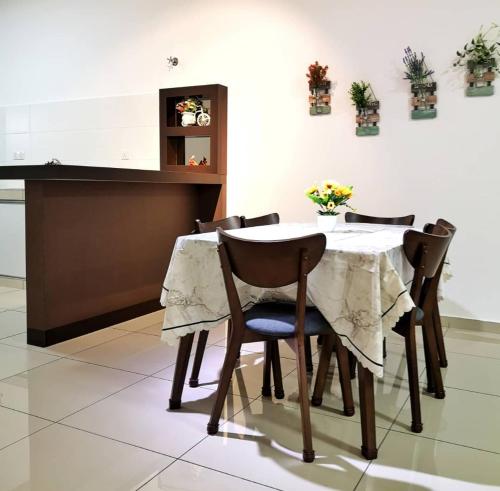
(359, 284)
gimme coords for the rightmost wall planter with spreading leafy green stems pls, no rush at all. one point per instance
(480, 56)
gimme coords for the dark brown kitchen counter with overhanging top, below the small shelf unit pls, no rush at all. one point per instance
(98, 241)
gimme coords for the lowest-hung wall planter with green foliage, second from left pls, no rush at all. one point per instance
(367, 119)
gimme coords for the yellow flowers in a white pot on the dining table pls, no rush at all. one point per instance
(330, 196)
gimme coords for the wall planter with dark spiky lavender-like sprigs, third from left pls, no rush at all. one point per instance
(423, 86)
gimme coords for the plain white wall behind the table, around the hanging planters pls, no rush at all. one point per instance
(58, 50)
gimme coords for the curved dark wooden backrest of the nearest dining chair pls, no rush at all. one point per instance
(271, 264)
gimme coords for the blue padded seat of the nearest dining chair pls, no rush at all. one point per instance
(277, 319)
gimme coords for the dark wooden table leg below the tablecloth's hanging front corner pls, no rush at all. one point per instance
(367, 408)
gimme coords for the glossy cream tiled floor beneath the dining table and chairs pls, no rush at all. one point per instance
(91, 414)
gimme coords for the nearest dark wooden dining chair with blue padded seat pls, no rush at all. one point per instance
(273, 264)
